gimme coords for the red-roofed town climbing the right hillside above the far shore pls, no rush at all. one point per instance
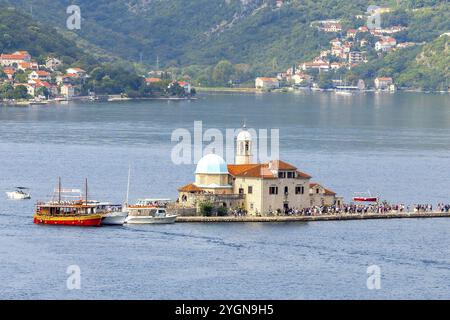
(346, 51)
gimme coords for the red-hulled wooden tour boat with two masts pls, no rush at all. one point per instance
(70, 212)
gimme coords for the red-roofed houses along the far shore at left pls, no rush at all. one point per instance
(25, 81)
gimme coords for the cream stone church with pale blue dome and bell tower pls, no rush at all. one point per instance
(257, 188)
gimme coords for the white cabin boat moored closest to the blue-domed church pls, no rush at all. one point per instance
(150, 211)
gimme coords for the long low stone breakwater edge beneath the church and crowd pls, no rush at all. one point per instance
(334, 217)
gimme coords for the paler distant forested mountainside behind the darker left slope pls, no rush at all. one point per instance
(217, 42)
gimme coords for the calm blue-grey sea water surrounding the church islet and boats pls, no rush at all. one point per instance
(397, 146)
